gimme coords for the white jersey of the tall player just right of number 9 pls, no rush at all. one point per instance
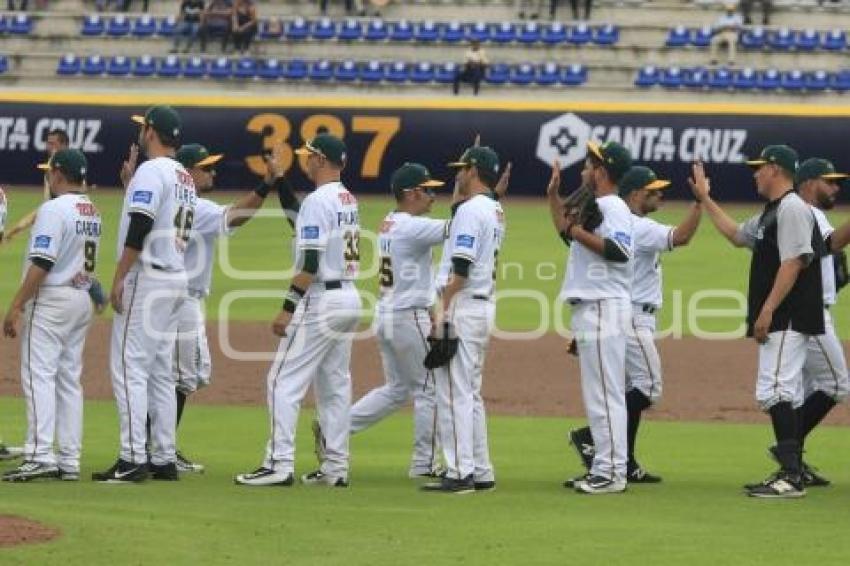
(163, 190)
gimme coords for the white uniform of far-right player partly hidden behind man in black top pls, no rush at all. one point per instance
(825, 368)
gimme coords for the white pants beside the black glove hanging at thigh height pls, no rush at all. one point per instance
(461, 415)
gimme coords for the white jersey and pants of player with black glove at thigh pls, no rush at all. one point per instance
(475, 234)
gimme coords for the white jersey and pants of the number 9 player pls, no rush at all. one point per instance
(66, 233)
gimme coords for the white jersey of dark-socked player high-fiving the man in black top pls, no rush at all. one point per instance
(651, 238)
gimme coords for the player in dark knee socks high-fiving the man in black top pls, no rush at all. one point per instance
(641, 189)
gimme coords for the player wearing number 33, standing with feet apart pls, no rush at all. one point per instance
(319, 315)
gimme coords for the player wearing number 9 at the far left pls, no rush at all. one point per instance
(53, 300)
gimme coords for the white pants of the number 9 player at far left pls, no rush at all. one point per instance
(54, 332)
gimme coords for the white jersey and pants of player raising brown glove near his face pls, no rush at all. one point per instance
(599, 292)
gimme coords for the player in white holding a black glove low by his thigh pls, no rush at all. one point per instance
(464, 320)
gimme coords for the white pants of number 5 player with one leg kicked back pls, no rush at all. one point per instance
(402, 338)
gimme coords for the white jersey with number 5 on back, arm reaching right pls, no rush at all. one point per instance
(405, 242)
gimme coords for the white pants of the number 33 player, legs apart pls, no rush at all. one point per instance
(316, 350)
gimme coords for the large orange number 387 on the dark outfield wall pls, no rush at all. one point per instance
(276, 129)
